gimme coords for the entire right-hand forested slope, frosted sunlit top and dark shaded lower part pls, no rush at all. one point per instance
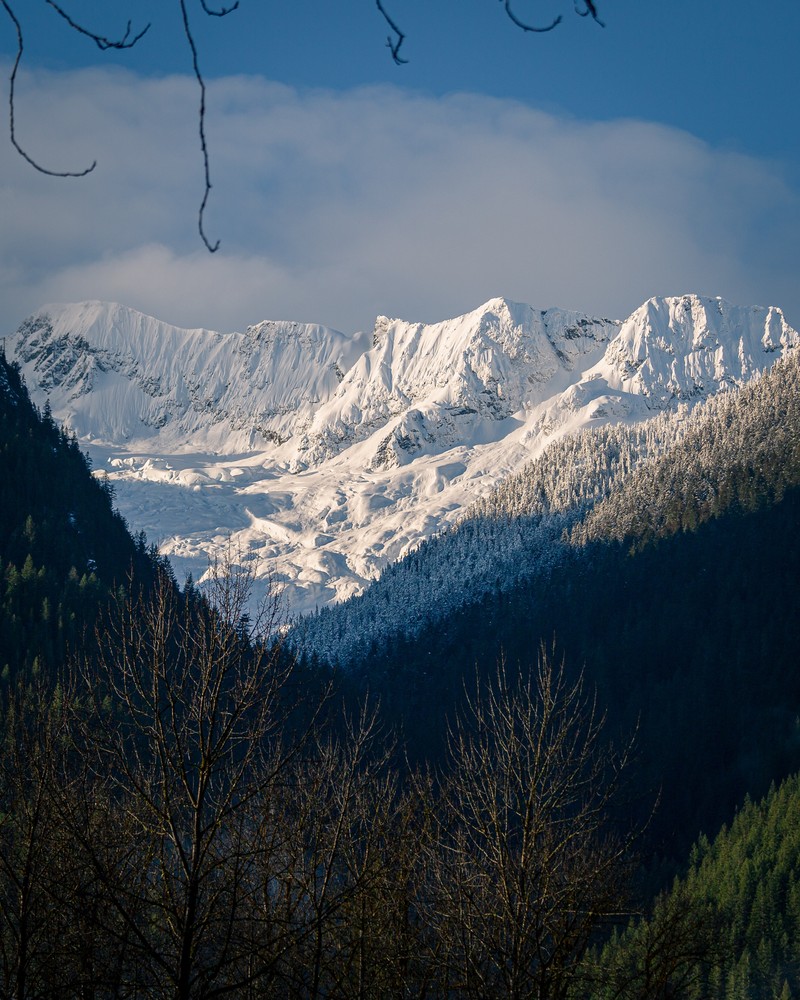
(688, 628)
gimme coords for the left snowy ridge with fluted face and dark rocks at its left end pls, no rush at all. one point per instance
(118, 376)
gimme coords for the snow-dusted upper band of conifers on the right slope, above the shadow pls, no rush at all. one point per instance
(627, 482)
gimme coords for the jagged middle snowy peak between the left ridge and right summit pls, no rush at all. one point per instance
(425, 388)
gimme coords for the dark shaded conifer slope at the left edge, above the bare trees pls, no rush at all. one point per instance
(63, 547)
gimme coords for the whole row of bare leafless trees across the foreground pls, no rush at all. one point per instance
(175, 823)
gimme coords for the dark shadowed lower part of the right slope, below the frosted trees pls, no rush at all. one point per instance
(694, 640)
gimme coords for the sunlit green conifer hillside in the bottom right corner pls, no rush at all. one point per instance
(740, 900)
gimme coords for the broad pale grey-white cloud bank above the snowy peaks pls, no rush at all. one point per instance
(336, 206)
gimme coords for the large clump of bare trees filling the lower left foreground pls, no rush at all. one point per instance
(163, 833)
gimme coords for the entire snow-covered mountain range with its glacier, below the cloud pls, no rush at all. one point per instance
(326, 457)
